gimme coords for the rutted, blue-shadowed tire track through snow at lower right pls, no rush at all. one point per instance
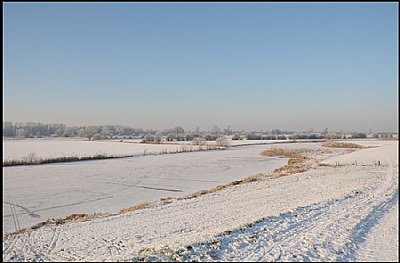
(332, 231)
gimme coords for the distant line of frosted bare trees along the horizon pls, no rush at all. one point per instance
(40, 130)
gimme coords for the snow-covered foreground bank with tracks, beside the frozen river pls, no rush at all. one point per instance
(328, 213)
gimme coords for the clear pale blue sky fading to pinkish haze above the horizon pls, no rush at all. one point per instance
(158, 65)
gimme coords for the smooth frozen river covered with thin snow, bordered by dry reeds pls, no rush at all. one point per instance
(36, 193)
